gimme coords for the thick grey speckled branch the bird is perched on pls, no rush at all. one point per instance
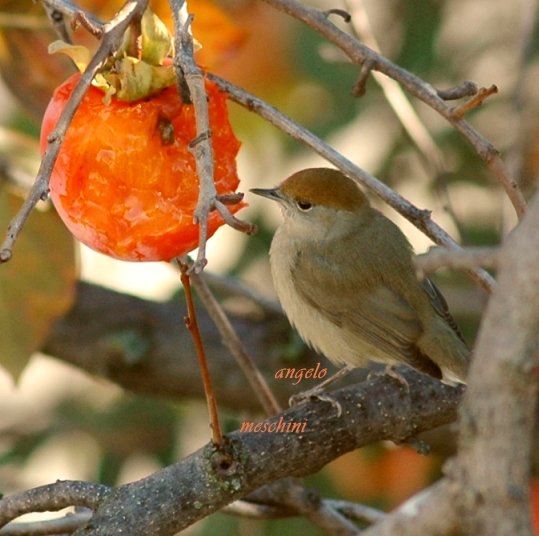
(183, 493)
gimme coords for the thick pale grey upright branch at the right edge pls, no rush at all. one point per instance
(494, 462)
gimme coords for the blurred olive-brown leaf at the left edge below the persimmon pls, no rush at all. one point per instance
(36, 285)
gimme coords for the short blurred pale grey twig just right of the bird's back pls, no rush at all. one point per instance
(438, 257)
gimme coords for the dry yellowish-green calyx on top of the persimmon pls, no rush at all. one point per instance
(124, 76)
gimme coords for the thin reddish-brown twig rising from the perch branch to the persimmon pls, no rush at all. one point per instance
(191, 323)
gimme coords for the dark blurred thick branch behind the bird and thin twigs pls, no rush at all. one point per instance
(141, 346)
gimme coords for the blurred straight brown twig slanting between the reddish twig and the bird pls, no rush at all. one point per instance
(234, 344)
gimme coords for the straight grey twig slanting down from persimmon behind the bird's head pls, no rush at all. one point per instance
(420, 218)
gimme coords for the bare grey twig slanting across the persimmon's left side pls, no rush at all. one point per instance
(112, 36)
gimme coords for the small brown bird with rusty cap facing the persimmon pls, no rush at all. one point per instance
(345, 277)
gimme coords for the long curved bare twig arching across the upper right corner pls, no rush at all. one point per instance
(359, 53)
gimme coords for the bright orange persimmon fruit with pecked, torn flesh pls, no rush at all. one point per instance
(125, 182)
